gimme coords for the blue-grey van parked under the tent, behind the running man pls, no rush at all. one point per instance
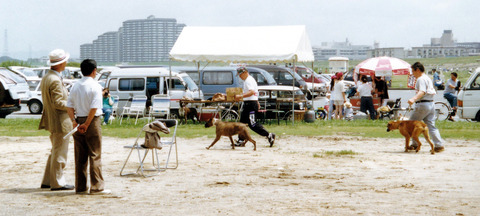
(218, 79)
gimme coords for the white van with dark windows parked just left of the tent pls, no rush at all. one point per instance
(148, 81)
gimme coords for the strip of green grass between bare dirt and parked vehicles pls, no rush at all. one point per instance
(363, 128)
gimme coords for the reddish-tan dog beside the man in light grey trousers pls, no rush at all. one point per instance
(411, 129)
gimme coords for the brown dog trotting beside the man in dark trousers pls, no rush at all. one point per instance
(229, 129)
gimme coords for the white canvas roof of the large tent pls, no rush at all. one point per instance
(258, 44)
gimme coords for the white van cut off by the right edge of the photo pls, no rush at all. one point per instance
(468, 100)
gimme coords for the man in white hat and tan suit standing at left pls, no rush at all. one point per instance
(55, 119)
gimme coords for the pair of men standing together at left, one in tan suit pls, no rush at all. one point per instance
(81, 109)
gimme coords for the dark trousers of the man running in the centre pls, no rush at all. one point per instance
(248, 116)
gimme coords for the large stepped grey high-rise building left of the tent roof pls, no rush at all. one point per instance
(142, 40)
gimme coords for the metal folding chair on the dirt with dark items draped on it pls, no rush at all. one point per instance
(169, 140)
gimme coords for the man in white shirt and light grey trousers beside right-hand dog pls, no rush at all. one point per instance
(424, 105)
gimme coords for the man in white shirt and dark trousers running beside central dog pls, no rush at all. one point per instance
(250, 107)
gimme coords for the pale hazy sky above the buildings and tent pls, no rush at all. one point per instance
(34, 28)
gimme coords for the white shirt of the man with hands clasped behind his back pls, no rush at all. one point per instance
(86, 94)
